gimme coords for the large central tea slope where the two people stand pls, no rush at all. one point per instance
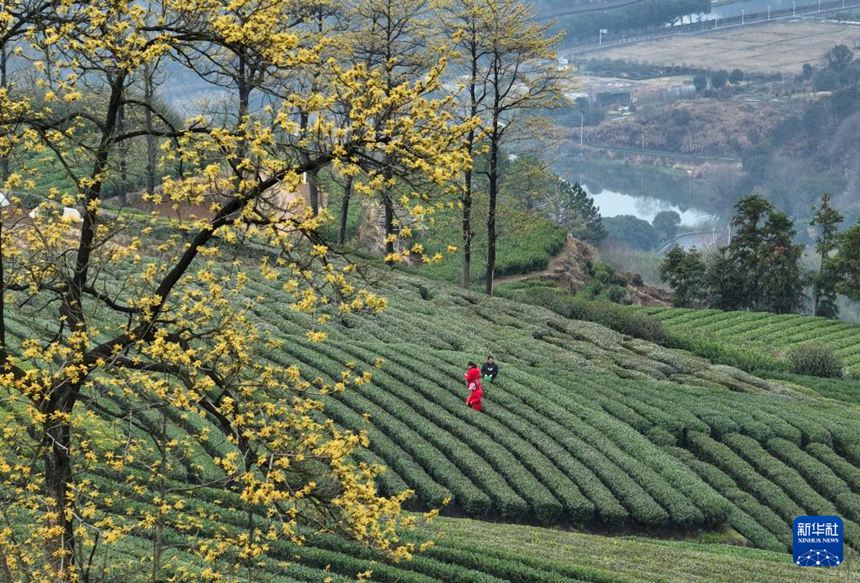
(584, 427)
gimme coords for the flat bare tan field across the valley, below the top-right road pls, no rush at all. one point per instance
(779, 47)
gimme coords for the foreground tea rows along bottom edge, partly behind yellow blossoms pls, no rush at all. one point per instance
(463, 550)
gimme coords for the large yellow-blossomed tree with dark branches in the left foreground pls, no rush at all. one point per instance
(125, 319)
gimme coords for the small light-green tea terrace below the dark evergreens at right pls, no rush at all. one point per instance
(770, 334)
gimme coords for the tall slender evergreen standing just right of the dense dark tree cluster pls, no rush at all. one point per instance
(827, 220)
